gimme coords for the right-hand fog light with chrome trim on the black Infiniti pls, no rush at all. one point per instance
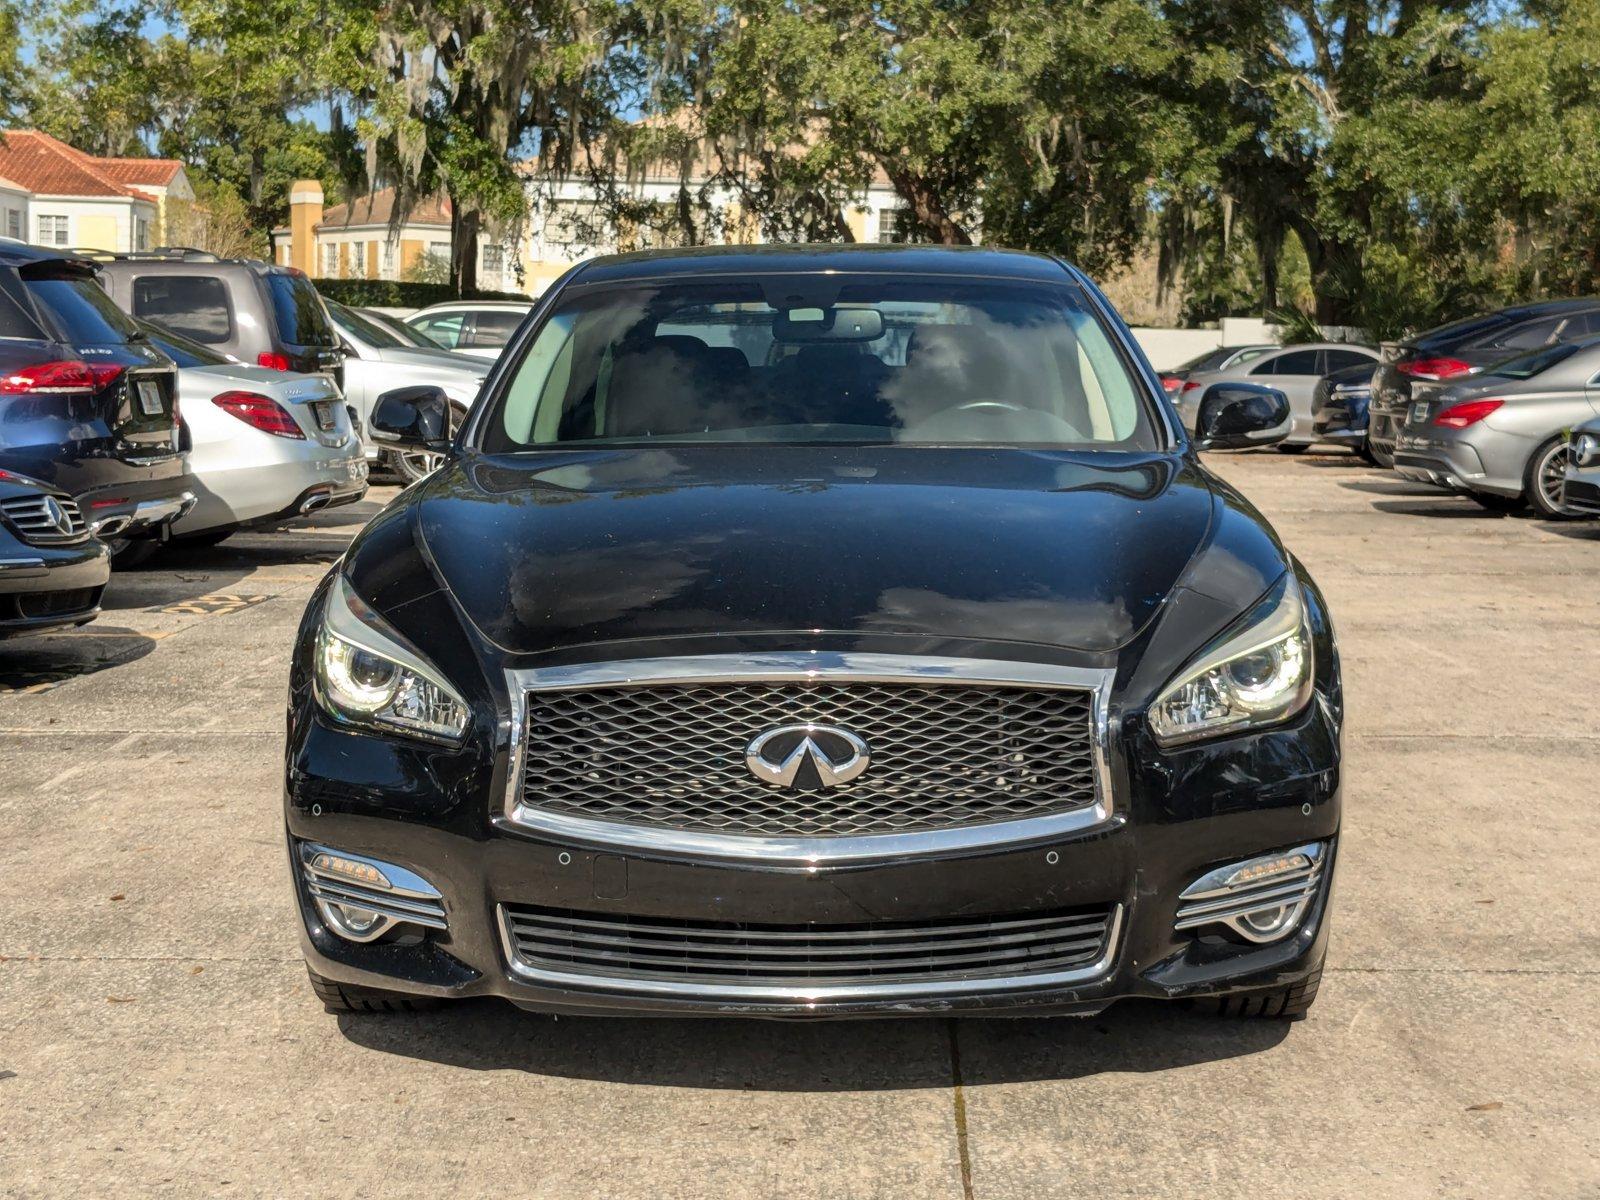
(1262, 898)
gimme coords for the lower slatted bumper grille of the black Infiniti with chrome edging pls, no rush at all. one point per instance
(737, 958)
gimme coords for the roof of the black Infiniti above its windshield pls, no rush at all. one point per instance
(794, 260)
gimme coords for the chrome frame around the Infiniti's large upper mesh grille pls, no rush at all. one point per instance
(804, 666)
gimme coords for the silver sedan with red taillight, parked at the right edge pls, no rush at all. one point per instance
(1502, 438)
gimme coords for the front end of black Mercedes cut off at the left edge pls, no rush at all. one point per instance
(52, 570)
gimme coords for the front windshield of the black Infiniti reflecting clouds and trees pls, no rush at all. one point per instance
(815, 359)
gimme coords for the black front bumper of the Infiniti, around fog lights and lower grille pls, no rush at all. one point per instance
(1199, 809)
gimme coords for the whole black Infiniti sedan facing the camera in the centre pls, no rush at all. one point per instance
(818, 633)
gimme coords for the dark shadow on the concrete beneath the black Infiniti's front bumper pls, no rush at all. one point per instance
(812, 1057)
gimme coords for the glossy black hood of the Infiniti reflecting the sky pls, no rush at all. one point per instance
(561, 550)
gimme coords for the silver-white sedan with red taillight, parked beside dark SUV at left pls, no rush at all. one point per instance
(265, 447)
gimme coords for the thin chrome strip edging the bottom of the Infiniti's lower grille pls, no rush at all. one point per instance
(705, 990)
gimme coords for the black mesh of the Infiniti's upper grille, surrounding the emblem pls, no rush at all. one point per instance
(943, 756)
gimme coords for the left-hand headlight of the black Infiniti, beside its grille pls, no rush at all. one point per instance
(367, 676)
